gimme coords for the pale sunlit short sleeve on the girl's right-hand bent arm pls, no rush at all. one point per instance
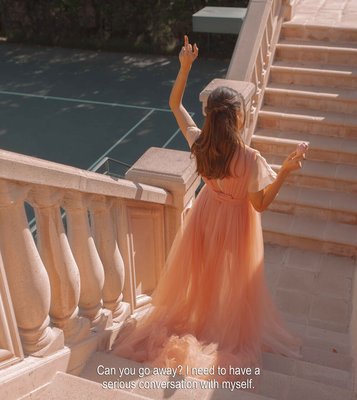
(261, 174)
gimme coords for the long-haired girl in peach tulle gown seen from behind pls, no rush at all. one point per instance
(211, 307)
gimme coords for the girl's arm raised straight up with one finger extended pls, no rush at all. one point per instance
(187, 56)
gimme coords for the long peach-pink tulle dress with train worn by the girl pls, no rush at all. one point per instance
(212, 306)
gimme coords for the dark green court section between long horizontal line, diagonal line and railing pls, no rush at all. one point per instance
(73, 134)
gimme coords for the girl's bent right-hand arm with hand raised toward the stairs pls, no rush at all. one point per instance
(261, 200)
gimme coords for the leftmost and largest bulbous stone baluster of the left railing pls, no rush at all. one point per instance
(27, 277)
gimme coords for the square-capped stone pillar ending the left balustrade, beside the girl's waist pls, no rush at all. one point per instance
(174, 171)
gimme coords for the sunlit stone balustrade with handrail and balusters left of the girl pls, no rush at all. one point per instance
(87, 270)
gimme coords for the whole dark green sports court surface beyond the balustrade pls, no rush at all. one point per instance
(71, 132)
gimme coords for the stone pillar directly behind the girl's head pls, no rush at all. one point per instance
(246, 89)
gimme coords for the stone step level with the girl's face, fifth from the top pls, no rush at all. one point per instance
(307, 121)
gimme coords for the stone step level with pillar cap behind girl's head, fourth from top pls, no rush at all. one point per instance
(335, 100)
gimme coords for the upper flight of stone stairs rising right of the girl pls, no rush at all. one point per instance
(311, 96)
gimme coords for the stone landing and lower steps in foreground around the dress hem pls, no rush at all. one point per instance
(312, 291)
